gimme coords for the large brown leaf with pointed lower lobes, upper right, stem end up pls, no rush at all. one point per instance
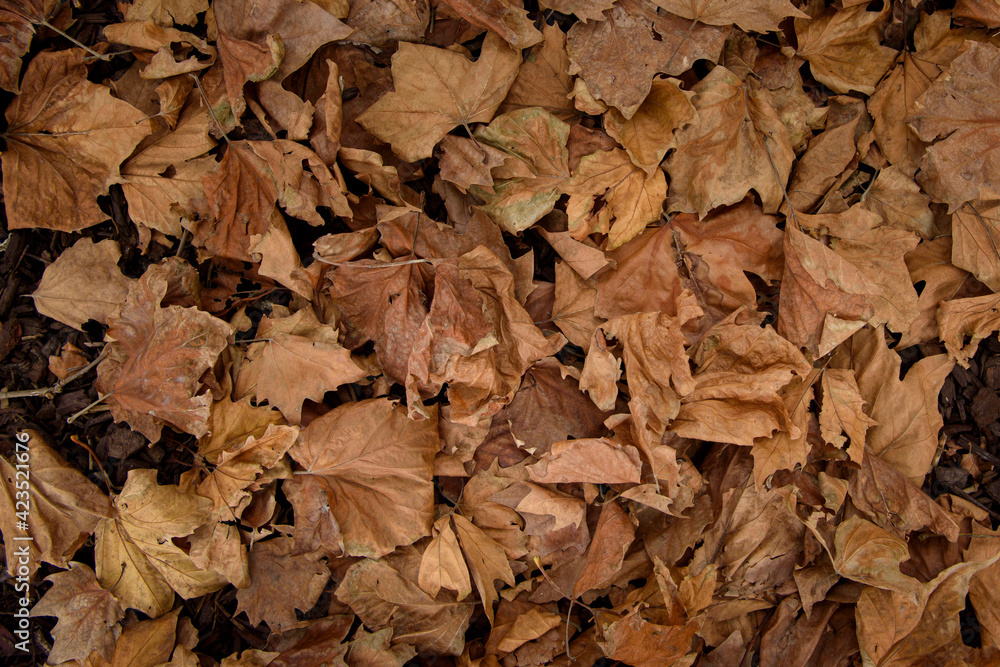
(720, 156)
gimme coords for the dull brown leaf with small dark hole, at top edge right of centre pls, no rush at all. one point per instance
(619, 56)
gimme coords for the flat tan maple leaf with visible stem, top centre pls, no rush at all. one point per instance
(437, 90)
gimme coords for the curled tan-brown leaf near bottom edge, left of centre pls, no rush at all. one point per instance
(385, 596)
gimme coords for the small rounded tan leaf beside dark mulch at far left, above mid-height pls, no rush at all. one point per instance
(84, 283)
